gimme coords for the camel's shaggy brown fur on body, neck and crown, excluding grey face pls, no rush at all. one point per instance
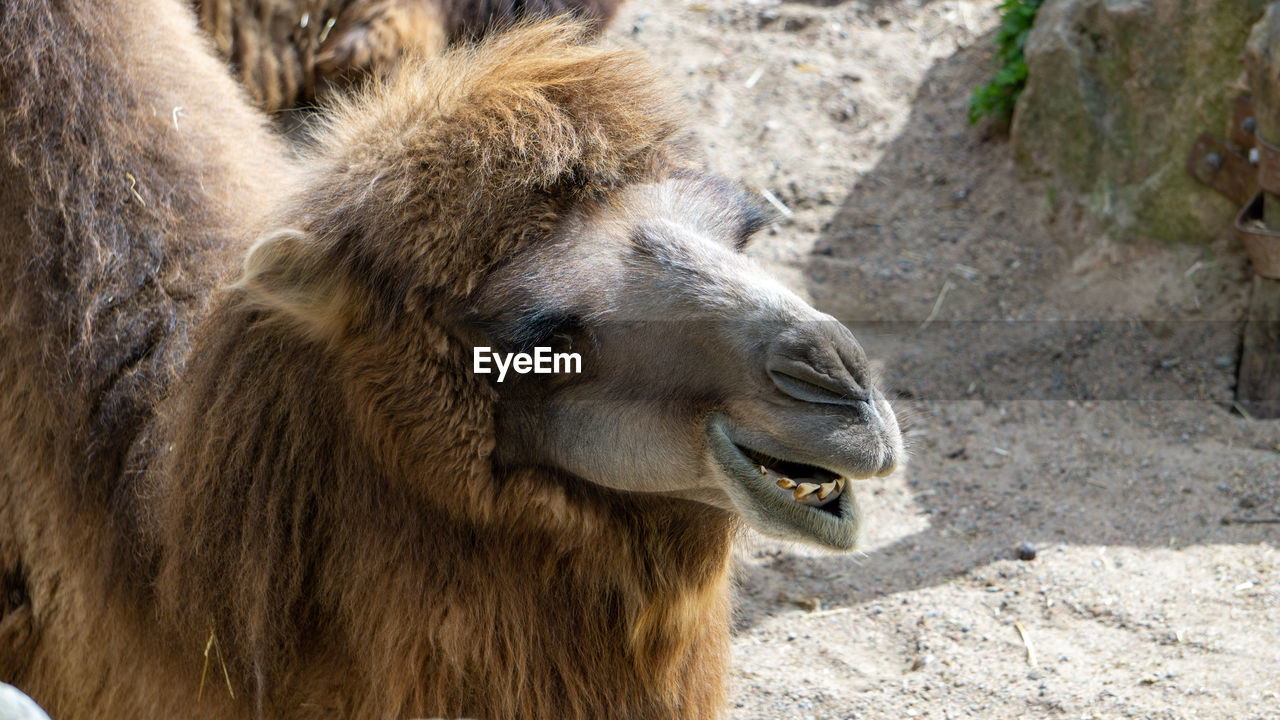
(301, 508)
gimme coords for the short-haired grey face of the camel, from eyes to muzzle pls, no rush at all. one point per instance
(702, 376)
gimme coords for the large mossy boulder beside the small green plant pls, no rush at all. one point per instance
(1117, 94)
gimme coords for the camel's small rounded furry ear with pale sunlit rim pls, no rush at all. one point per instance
(285, 275)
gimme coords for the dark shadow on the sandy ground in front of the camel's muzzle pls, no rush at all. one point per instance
(1027, 427)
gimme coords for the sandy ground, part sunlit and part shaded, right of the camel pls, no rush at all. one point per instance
(1057, 390)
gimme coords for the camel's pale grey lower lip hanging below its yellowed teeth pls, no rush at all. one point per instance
(834, 525)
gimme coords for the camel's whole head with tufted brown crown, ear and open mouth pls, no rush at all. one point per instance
(540, 193)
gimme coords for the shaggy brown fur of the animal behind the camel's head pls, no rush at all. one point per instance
(286, 52)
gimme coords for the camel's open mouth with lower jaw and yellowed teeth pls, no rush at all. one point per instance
(783, 496)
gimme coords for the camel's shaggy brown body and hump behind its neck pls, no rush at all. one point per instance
(134, 176)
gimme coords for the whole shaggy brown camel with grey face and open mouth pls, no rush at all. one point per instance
(248, 468)
